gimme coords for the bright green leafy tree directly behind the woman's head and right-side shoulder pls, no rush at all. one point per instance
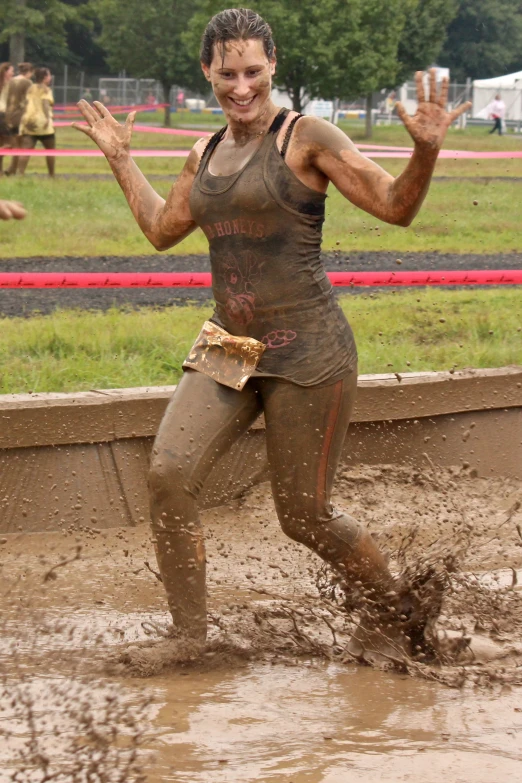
(329, 49)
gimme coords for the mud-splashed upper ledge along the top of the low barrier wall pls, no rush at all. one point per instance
(104, 415)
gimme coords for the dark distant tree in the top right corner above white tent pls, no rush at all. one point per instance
(484, 39)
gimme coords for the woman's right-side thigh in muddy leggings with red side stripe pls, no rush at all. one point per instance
(305, 430)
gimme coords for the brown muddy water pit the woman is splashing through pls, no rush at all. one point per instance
(272, 698)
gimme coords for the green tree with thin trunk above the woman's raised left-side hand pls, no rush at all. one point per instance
(146, 39)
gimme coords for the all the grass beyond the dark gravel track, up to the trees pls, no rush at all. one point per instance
(82, 216)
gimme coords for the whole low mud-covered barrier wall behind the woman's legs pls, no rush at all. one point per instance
(81, 460)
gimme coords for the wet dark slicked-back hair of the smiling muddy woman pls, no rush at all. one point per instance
(235, 24)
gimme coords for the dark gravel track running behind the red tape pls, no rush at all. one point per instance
(25, 303)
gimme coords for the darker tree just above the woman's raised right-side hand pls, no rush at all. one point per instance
(423, 36)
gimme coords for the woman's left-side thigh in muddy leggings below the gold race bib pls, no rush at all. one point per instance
(201, 423)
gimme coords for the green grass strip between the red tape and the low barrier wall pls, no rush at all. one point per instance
(428, 329)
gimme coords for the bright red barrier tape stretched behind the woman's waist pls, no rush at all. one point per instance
(204, 279)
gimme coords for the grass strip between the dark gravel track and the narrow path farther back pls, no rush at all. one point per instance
(88, 217)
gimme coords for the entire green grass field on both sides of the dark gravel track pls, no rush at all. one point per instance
(415, 330)
